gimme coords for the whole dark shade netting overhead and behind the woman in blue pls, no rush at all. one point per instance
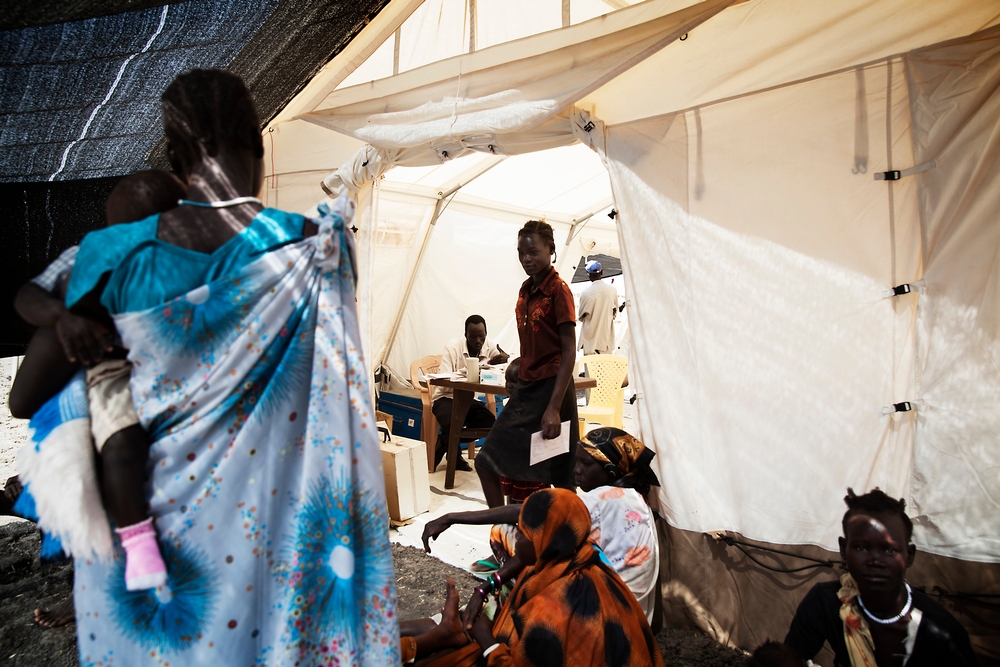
(80, 101)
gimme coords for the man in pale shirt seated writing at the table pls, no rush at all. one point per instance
(474, 345)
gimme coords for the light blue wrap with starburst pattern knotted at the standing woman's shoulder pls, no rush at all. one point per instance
(265, 477)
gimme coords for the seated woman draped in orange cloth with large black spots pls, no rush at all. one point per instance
(568, 607)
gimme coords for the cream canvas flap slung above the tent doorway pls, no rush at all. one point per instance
(477, 97)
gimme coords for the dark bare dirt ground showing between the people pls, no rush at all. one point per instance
(26, 584)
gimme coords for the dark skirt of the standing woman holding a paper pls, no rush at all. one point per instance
(507, 450)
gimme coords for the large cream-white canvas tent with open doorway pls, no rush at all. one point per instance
(778, 167)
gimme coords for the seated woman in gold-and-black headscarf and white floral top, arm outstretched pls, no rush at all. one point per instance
(613, 471)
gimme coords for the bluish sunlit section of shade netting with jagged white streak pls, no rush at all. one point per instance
(81, 99)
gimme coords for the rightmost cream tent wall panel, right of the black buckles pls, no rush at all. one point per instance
(956, 469)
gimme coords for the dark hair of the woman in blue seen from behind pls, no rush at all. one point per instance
(206, 110)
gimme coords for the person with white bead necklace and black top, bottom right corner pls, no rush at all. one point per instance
(872, 616)
